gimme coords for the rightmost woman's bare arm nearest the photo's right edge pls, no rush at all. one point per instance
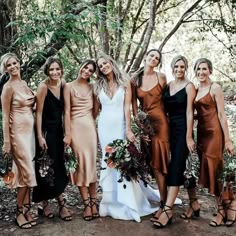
(219, 98)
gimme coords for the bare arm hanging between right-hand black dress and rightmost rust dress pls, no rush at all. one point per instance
(191, 94)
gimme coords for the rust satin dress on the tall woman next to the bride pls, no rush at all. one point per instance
(151, 102)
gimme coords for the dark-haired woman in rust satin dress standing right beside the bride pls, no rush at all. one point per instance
(148, 87)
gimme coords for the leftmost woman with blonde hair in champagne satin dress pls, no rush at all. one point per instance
(18, 101)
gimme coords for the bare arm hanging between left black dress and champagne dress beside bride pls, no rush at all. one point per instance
(66, 93)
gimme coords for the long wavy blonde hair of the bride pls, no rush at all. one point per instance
(120, 77)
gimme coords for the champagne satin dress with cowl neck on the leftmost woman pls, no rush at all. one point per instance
(22, 137)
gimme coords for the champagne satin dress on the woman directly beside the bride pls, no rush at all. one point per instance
(84, 137)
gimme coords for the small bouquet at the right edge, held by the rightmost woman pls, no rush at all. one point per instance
(228, 174)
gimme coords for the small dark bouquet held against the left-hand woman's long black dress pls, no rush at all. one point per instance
(45, 167)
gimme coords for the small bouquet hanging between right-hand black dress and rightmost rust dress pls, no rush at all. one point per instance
(191, 172)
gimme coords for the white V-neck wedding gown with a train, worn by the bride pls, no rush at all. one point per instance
(128, 203)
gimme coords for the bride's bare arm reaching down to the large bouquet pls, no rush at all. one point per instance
(127, 103)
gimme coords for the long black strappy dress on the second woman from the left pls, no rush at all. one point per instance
(52, 128)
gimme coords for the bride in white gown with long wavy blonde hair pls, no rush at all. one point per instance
(114, 98)
